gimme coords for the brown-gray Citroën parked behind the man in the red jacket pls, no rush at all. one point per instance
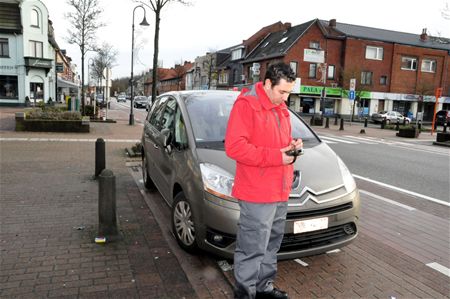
(183, 156)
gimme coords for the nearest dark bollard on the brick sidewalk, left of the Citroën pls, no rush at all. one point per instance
(107, 221)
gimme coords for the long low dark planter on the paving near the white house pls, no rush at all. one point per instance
(44, 125)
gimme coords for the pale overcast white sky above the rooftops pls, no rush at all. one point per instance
(207, 25)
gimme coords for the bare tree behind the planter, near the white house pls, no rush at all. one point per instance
(84, 23)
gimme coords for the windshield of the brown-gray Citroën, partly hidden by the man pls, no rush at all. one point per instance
(209, 112)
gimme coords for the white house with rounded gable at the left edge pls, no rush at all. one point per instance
(27, 56)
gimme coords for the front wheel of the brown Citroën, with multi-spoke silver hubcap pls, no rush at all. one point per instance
(183, 225)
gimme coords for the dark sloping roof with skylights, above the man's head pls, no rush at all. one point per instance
(278, 43)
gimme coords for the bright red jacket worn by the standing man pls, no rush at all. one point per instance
(257, 130)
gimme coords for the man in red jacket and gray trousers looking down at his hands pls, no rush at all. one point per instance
(258, 137)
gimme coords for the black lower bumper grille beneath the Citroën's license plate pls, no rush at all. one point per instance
(295, 242)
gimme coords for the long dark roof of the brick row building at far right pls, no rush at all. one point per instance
(390, 36)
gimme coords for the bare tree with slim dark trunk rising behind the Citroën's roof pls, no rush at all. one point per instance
(156, 6)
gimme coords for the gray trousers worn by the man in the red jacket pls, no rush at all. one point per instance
(260, 232)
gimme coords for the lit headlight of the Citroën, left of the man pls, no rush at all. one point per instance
(216, 180)
